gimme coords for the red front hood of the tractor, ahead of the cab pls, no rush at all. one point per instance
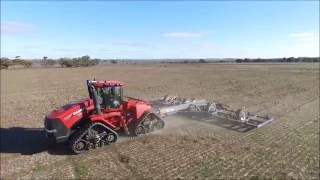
(71, 112)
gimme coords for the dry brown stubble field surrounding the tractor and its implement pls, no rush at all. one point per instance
(186, 148)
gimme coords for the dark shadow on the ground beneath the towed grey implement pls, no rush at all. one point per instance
(217, 121)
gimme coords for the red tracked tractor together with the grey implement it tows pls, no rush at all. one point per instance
(97, 120)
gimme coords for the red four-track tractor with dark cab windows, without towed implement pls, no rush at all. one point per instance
(97, 120)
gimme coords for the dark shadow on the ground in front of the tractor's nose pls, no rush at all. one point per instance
(28, 141)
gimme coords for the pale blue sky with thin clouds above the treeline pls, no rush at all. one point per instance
(159, 29)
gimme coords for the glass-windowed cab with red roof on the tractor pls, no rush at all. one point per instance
(105, 94)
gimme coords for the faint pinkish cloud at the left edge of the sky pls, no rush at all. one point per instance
(16, 28)
